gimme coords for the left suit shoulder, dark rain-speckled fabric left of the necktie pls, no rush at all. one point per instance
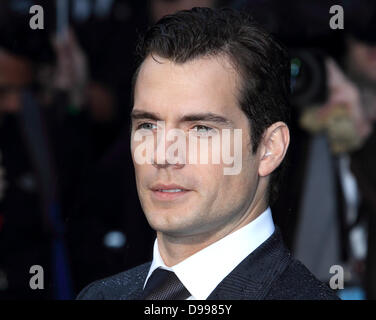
(115, 286)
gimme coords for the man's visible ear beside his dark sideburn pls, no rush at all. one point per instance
(273, 147)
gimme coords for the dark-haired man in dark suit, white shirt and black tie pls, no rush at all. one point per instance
(206, 72)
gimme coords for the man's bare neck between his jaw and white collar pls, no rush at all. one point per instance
(174, 249)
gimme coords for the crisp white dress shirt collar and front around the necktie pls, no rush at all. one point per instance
(203, 271)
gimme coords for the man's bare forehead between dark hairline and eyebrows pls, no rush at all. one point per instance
(204, 84)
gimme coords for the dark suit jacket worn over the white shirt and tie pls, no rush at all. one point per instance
(269, 272)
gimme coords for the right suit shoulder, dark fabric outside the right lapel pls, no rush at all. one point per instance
(298, 283)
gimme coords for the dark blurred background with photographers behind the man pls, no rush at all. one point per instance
(68, 199)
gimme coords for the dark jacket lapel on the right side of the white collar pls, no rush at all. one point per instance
(253, 277)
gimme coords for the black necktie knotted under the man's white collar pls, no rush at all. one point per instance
(164, 285)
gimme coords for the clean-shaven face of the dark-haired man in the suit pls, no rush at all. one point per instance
(214, 202)
